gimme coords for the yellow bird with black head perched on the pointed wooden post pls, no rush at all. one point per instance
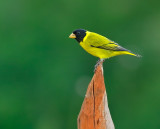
(98, 45)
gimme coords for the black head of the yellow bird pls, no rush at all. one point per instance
(79, 34)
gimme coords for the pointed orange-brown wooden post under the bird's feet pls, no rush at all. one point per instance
(94, 112)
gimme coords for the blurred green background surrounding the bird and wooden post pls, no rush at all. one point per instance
(44, 74)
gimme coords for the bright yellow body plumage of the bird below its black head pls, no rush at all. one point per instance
(101, 46)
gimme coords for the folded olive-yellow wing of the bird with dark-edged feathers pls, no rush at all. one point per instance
(102, 42)
